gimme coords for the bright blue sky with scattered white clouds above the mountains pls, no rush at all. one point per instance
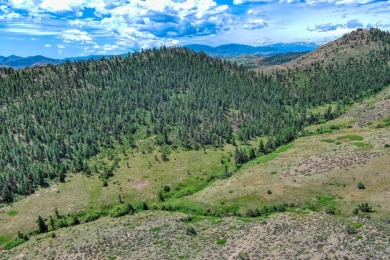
(69, 28)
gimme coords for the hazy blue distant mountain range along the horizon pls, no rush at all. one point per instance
(223, 51)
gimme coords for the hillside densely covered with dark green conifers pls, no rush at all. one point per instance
(56, 117)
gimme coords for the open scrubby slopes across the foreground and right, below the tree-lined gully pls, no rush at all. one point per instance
(304, 173)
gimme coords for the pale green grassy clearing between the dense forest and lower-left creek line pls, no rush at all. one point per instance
(139, 178)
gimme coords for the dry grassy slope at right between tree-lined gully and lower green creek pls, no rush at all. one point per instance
(332, 164)
